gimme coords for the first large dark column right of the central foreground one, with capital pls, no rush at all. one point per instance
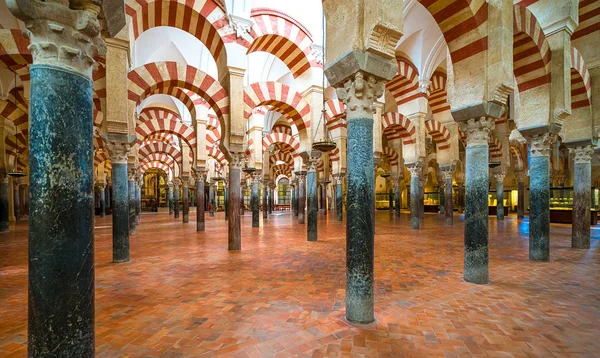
(477, 184)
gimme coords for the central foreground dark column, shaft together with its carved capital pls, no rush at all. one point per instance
(359, 94)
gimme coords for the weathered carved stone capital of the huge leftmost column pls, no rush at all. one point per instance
(61, 33)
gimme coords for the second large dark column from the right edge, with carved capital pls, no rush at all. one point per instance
(540, 143)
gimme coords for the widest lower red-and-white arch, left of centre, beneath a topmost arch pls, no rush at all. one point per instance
(164, 76)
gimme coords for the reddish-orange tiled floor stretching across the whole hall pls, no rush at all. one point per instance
(184, 295)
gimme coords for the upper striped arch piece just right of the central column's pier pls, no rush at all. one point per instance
(404, 87)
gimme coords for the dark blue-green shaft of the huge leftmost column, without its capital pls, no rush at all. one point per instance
(61, 223)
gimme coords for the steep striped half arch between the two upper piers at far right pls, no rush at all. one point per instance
(531, 52)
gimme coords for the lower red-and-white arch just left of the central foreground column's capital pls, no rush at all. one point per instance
(282, 98)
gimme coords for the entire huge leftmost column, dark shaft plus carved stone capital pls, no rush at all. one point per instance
(61, 226)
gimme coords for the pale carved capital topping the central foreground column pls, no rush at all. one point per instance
(360, 93)
